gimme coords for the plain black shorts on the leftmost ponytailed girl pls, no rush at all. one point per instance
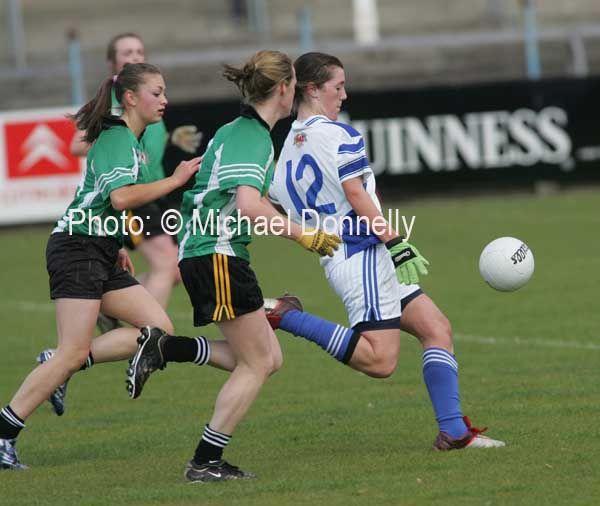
(84, 267)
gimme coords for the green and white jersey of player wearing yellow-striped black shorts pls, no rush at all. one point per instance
(240, 154)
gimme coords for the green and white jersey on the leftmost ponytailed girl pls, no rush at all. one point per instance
(116, 159)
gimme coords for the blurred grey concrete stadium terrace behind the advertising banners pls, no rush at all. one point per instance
(475, 40)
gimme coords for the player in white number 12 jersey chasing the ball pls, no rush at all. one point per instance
(323, 170)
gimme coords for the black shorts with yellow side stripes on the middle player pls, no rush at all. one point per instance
(220, 287)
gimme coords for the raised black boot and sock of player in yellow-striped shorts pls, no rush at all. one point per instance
(155, 349)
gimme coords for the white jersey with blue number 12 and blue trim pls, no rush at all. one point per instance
(317, 157)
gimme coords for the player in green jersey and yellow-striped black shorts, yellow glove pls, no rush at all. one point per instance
(215, 265)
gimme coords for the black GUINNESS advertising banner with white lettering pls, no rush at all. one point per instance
(458, 137)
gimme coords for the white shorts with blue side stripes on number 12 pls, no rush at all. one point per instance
(367, 284)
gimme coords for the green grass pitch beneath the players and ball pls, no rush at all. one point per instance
(319, 432)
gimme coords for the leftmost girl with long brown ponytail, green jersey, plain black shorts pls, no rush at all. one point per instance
(87, 266)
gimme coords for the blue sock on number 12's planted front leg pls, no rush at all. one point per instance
(440, 372)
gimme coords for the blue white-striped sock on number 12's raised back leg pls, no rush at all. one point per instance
(335, 339)
